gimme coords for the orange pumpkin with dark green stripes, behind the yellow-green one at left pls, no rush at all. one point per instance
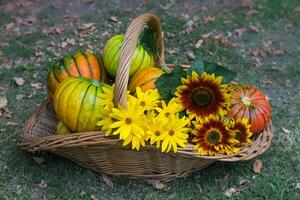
(80, 64)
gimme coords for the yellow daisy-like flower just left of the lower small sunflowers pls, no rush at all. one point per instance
(176, 134)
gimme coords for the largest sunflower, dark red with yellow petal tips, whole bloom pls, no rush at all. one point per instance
(203, 95)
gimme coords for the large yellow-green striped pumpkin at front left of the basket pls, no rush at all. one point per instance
(77, 103)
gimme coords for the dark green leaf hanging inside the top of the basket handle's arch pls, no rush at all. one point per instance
(148, 41)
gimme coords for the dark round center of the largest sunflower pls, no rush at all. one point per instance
(202, 97)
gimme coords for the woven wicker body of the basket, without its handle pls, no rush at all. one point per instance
(106, 155)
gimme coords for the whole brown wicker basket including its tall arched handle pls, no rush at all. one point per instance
(94, 151)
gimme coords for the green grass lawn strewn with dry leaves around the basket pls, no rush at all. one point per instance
(264, 30)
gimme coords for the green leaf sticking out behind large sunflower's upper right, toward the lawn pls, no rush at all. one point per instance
(211, 67)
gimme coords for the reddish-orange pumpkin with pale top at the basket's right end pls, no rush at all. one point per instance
(248, 101)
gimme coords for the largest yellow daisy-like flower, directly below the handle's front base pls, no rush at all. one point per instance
(129, 123)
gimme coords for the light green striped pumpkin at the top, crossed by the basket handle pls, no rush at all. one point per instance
(111, 54)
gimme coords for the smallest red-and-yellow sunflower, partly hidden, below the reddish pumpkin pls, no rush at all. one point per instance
(241, 128)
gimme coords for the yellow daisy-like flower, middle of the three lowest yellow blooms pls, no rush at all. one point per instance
(156, 127)
